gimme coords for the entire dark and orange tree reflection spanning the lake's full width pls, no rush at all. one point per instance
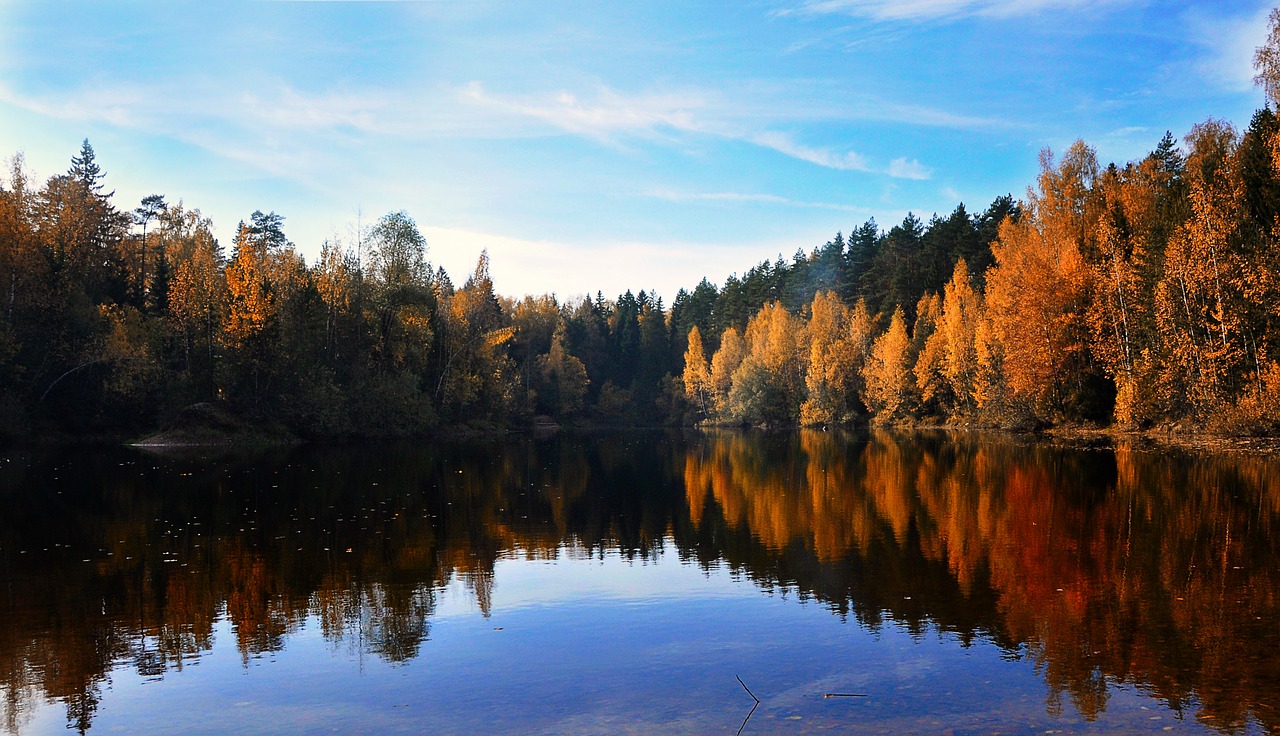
(1100, 566)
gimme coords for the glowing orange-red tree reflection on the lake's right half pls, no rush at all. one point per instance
(1101, 566)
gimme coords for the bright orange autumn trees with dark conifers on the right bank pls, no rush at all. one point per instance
(1141, 295)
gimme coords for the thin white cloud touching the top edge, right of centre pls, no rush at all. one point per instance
(944, 10)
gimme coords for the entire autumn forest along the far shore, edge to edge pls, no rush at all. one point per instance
(1142, 298)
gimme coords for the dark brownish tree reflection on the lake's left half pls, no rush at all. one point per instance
(359, 541)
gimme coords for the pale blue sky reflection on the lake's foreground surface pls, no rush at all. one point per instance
(589, 646)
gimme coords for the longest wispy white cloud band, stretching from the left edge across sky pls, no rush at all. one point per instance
(273, 129)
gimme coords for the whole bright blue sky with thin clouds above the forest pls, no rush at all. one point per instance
(607, 145)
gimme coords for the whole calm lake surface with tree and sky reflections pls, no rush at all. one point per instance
(624, 584)
